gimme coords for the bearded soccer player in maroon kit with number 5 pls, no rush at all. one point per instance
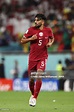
(40, 38)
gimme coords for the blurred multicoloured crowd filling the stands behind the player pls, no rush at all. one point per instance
(16, 16)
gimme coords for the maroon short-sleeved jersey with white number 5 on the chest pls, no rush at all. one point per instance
(38, 48)
